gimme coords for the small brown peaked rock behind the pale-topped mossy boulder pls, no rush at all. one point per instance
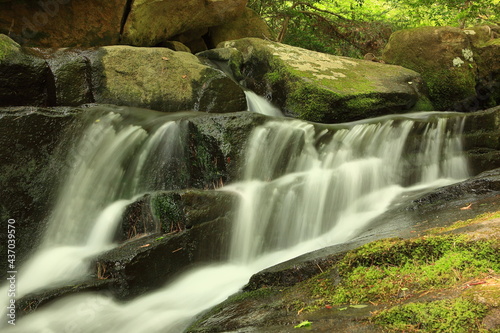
(247, 25)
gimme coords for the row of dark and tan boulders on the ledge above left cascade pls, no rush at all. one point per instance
(154, 78)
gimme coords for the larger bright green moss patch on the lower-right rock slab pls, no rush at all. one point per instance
(388, 270)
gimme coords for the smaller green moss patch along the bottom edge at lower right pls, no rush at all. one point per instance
(458, 315)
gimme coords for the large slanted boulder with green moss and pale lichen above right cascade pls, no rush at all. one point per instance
(324, 88)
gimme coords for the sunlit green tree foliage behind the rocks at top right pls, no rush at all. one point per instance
(356, 27)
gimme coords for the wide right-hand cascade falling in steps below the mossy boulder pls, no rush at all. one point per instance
(299, 185)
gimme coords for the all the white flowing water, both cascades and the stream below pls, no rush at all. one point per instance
(304, 187)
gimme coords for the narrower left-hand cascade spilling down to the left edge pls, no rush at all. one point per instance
(113, 163)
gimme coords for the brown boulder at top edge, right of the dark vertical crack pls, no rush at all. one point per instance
(177, 17)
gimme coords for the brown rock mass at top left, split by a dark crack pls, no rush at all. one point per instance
(62, 23)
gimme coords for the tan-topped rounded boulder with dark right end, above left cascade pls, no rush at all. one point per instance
(164, 80)
